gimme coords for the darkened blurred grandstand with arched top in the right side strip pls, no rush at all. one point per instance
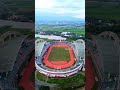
(105, 55)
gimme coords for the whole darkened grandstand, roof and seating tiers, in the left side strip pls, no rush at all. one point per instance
(12, 46)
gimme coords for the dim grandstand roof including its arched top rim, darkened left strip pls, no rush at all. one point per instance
(9, 41)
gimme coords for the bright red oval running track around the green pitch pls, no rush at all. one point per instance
(59, 64)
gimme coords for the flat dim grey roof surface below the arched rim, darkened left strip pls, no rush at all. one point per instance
(8, 53)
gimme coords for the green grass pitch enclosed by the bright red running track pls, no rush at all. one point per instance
(59, 53)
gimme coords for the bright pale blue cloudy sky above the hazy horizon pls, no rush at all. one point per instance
(71, 9)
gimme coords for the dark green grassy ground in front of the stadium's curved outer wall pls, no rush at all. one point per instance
(69, 83)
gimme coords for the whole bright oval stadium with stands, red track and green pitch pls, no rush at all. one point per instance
(59, 58)
